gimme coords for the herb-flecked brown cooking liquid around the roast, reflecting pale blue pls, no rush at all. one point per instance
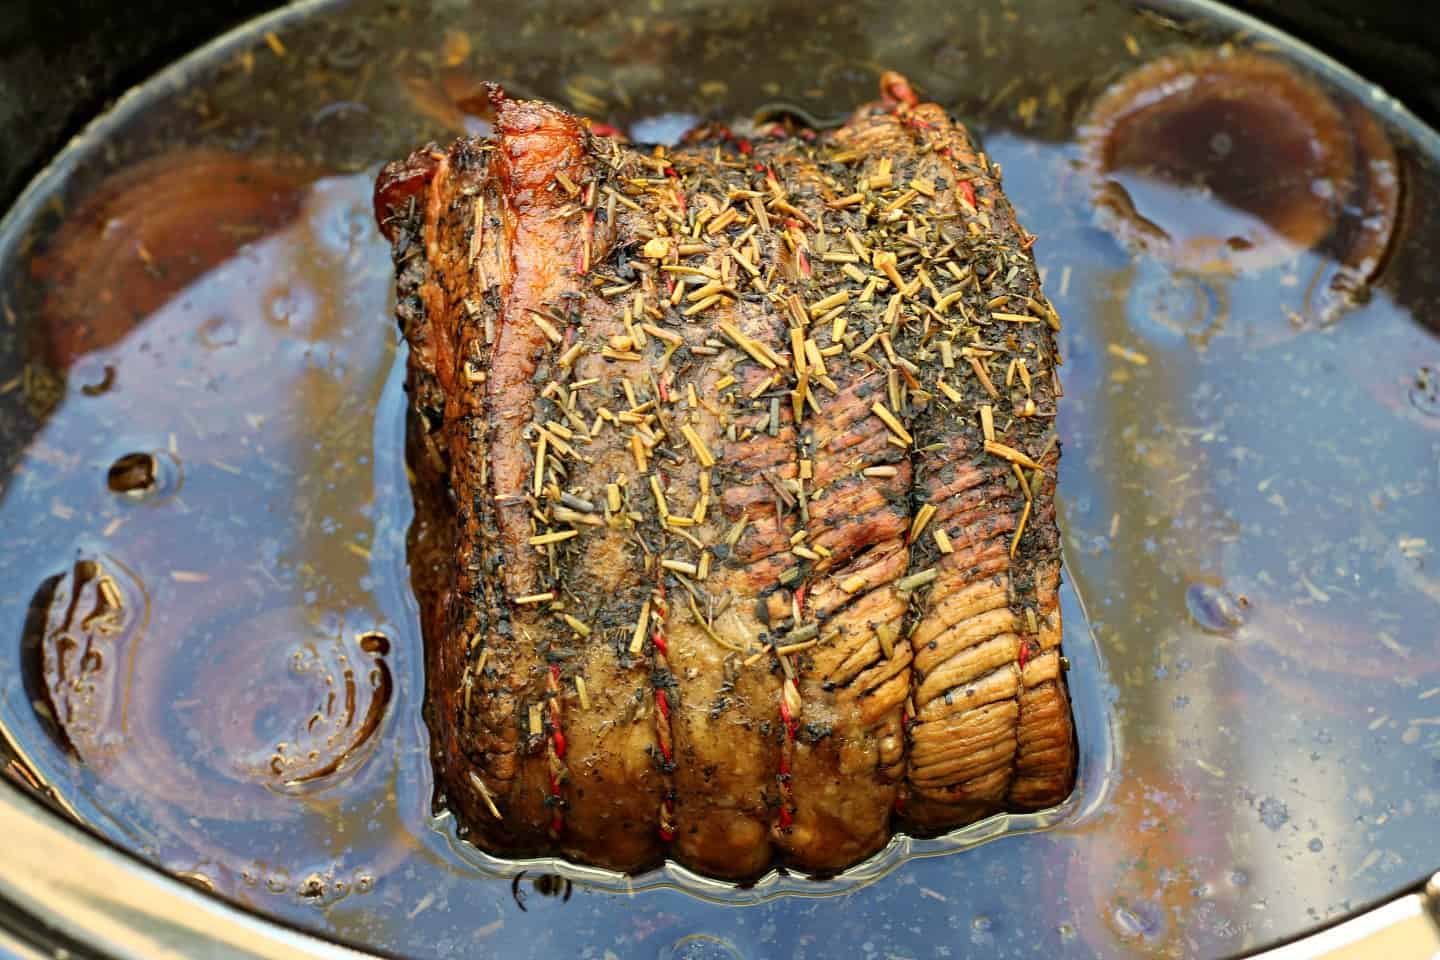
(214, 656)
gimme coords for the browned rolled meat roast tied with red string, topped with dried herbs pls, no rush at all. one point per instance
(735, 473)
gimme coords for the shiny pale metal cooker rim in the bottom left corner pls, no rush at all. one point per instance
(96, 897)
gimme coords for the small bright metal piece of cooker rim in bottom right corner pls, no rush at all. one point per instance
(1405, 929)
